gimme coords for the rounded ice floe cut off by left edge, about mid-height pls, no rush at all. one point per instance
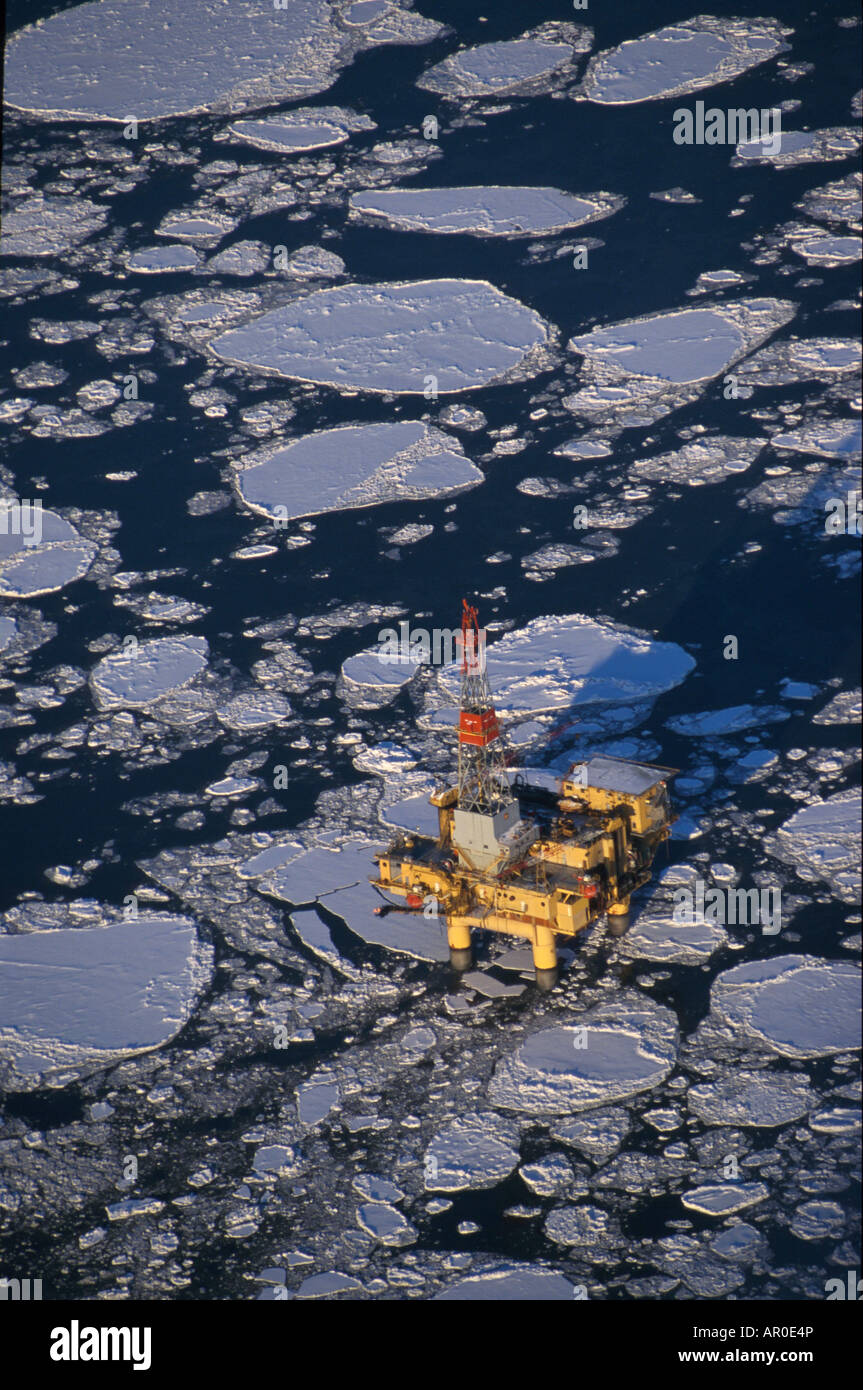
(40, 551)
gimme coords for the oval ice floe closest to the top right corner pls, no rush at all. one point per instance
(683, 58)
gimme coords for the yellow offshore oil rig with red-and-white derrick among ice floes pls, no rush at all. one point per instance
(530, 861)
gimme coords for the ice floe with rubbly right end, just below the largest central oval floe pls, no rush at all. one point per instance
(355, 466)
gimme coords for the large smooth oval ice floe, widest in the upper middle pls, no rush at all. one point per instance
(448, 334)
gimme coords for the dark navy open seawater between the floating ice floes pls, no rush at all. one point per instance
(794, 615)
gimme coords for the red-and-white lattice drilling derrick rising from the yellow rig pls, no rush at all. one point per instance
(483, 782)
